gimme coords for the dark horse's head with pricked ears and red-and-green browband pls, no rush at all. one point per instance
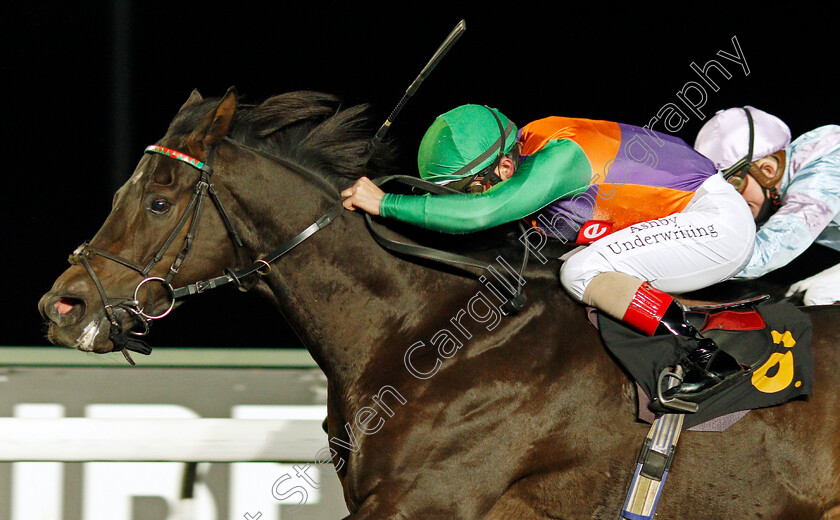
(121, 279)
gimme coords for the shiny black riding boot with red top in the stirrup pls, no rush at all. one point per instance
(707, 368)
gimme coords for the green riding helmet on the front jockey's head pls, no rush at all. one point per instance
(464, 141)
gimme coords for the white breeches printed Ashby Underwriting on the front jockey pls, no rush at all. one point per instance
(709, 241)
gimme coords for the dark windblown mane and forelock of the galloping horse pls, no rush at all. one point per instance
(311, 129)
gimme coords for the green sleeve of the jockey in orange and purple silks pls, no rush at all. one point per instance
(558, 170)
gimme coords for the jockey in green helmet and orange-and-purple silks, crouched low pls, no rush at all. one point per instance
(657, 217)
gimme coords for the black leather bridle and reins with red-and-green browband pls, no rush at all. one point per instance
(262, 266)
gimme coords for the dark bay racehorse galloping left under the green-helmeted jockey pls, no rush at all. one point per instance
(439, 406)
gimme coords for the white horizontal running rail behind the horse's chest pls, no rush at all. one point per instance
(164, 440)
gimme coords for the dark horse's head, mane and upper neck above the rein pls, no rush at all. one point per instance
(225, 183)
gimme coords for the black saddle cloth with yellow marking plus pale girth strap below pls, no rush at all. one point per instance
(772, 338)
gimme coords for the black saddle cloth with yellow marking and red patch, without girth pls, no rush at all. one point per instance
(774, 339)
